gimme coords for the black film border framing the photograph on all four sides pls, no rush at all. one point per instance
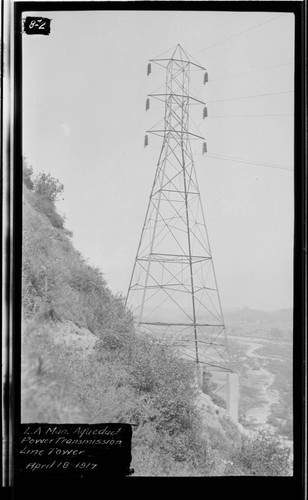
(219, 487)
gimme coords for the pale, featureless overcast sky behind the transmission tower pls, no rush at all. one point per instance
(84, 120)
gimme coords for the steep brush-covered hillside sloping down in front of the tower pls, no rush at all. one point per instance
(83, 362)
